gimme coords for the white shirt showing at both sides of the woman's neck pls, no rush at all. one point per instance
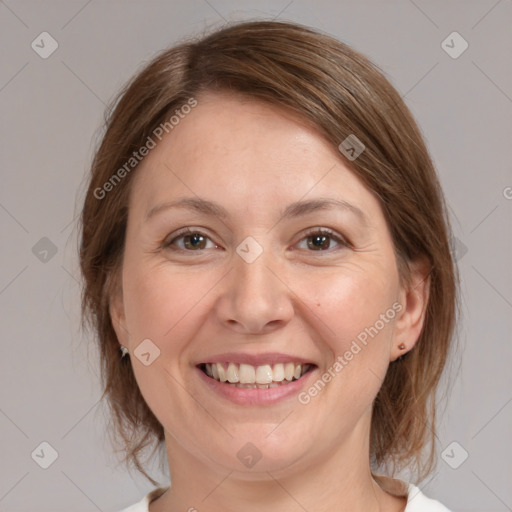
(416, 500)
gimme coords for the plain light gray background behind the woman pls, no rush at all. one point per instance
(51, 110)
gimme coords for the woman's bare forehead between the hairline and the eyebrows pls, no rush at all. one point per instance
(245, 150)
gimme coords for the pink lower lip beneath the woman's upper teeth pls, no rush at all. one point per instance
(255, 396)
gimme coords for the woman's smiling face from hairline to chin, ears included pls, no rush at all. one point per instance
(274, 263)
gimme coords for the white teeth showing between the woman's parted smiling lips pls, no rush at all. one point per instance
(255, 377)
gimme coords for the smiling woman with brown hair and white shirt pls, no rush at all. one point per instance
(267, 268)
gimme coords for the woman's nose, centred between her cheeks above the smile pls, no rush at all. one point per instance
(254, 297)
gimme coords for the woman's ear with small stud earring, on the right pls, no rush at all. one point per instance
(414, 299)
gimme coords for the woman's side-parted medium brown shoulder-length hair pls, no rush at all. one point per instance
(340, 92)
